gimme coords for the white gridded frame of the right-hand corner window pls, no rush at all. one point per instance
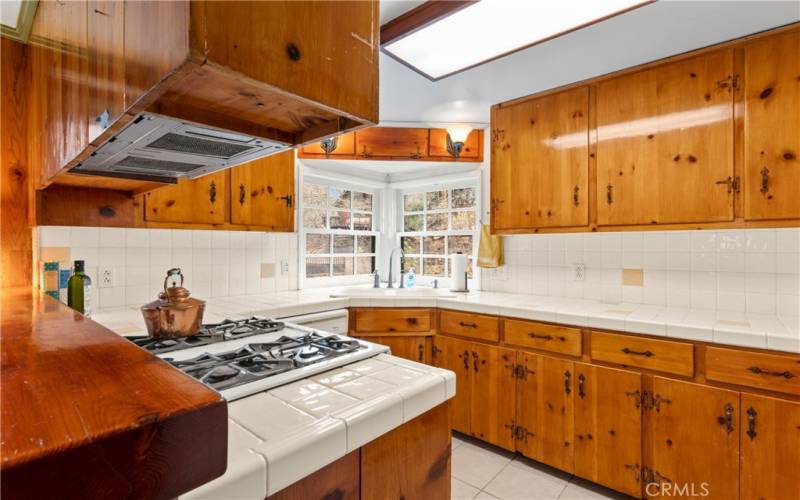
(449, 185)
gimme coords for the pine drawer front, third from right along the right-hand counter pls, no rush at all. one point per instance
(553, 338)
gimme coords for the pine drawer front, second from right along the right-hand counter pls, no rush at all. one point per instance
(659, 355)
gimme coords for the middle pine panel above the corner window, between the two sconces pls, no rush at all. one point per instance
(376, 143)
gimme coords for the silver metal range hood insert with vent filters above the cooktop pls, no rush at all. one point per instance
(162, 149)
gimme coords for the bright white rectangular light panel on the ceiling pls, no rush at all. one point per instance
(489, 29)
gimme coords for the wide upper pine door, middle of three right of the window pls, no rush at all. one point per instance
(665, 143)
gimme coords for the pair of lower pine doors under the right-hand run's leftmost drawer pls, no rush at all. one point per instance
(485, 403)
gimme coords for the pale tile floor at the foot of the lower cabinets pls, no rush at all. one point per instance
(482, 471)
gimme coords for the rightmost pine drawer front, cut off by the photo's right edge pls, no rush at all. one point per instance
(772, 372)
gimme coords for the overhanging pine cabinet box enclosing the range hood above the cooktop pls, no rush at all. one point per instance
(289, 72)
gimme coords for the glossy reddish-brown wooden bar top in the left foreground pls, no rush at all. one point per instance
(87, 414)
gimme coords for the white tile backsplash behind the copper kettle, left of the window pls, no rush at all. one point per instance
(215, 263)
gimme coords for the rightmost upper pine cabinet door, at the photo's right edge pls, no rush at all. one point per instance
(772, 127)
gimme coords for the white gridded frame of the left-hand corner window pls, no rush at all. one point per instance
(344, 184)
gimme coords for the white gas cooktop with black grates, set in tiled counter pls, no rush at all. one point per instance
(241, 358)
